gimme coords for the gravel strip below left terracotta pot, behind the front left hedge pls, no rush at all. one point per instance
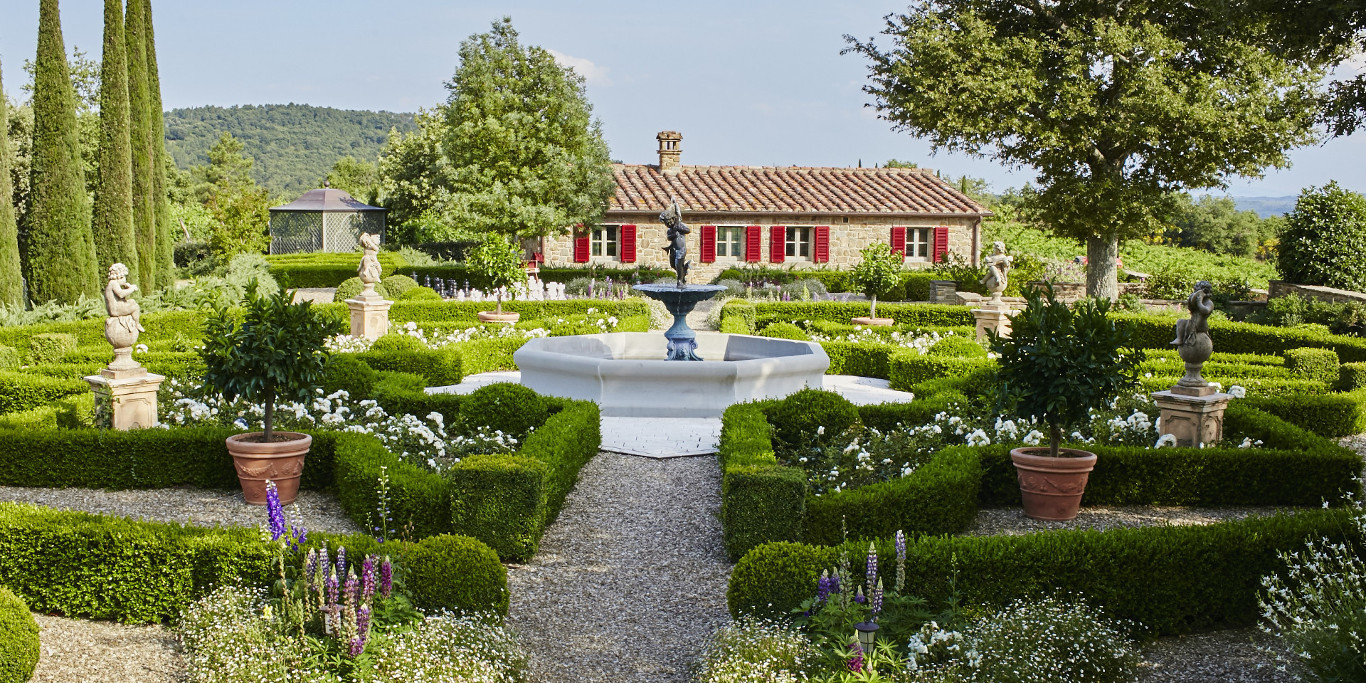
(319, 512)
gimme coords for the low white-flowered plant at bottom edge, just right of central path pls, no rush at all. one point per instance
(755, 651)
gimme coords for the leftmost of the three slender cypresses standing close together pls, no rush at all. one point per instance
(114, 238)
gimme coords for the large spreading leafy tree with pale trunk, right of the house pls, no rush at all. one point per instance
(1114, 104)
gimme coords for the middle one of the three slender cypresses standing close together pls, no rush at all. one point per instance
(140, 128)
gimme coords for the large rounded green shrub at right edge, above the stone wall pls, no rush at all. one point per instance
(1324, 240)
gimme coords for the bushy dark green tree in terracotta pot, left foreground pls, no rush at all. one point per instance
(279, 350)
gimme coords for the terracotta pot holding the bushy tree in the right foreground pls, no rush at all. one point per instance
(1053, 488)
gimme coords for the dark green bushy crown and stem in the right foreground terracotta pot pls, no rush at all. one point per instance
(1061, 363)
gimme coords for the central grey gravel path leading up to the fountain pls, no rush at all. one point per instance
(632, 577)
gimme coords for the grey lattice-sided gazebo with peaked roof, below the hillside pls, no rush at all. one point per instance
(323, 221)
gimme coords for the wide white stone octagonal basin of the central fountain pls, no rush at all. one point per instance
(628, 376)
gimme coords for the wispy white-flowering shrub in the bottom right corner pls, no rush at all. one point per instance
(1316, 609)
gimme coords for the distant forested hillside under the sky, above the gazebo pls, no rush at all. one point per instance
(294, 145)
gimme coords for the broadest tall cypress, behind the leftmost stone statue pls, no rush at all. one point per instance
(62, 264)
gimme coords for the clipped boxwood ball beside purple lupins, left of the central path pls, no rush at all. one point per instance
(456, 573)
